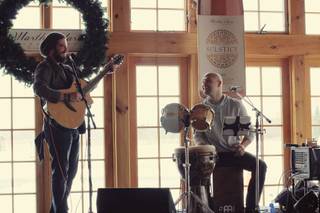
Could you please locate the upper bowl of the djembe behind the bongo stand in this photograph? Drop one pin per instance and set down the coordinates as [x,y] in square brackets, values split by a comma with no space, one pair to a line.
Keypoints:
[202,160]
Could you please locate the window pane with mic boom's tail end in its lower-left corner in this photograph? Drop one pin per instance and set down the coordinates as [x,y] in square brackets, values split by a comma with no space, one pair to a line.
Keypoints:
[272,108]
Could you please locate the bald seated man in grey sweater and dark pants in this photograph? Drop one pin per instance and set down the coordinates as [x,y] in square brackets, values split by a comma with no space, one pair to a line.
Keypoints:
[231,149]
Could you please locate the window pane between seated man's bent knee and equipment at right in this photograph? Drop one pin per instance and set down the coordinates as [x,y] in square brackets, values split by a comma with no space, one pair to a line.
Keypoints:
[274,170]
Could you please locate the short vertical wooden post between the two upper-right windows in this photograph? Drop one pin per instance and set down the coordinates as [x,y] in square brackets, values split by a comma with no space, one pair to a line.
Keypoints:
[296,17]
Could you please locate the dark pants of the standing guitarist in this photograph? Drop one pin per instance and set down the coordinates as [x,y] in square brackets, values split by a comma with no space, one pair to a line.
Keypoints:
[64,150]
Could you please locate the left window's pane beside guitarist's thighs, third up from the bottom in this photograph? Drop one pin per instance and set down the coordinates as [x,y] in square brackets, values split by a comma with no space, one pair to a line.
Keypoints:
[23,146]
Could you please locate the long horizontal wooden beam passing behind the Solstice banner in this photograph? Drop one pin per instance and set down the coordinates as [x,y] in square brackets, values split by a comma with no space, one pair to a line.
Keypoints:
[271,45]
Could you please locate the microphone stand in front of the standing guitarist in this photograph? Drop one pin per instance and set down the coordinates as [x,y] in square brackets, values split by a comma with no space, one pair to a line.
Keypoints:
[89,118]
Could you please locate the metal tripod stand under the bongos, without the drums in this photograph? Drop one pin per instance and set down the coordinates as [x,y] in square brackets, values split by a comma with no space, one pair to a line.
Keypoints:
[188,194]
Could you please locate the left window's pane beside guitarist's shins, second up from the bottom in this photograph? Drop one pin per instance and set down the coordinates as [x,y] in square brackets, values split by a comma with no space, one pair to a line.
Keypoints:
[24,177]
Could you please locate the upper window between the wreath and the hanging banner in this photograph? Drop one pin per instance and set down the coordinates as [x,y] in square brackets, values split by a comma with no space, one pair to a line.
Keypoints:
[157,15]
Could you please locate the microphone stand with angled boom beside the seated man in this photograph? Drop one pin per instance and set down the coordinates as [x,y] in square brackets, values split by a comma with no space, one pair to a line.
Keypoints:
[258,131]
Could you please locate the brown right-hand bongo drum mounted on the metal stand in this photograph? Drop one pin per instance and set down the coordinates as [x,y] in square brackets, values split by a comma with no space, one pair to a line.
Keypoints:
[201,117]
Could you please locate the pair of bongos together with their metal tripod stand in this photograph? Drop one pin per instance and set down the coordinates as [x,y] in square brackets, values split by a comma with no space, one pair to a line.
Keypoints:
[176,117]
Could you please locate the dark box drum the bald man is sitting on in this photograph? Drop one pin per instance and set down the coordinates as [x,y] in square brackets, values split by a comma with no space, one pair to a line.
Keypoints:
[227,190]
